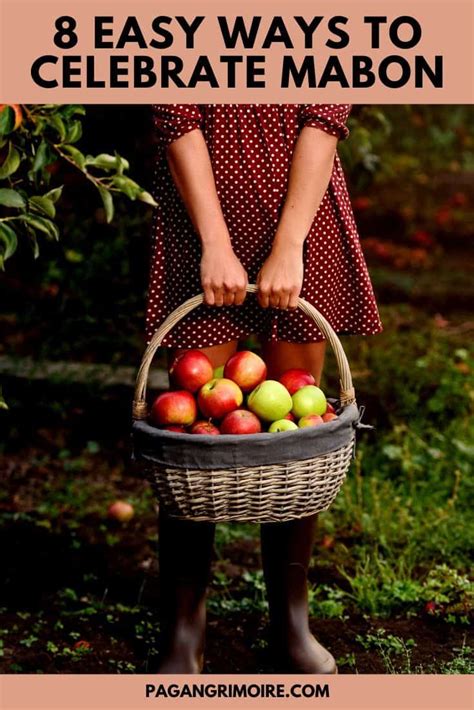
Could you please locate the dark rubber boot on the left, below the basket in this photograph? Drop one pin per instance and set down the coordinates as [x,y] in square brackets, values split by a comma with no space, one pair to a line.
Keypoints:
[185,556]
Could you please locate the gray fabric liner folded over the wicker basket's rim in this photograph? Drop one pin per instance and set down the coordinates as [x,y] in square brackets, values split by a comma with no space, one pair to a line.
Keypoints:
[190,451]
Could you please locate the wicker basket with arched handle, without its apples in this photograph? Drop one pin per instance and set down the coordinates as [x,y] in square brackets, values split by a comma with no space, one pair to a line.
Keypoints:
[258,478]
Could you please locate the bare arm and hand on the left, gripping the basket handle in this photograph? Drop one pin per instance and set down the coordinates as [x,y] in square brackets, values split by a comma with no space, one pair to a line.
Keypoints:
[223,277]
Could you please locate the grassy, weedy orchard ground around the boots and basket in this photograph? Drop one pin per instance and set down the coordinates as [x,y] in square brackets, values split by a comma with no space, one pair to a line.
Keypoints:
[389,587]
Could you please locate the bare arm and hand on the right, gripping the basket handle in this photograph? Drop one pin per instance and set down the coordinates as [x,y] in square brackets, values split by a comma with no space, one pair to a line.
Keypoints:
[281,276]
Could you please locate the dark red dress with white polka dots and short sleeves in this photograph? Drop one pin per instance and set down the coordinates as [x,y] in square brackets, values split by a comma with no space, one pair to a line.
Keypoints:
[251,146]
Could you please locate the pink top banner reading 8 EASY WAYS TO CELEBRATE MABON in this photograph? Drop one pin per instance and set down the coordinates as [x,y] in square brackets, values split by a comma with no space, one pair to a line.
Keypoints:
[356,51]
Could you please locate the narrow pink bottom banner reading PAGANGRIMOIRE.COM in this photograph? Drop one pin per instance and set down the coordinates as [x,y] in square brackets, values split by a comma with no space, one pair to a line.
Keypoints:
[132,692]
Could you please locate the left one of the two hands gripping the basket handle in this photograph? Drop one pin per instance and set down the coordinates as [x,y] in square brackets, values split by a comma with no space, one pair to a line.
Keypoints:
[223,277]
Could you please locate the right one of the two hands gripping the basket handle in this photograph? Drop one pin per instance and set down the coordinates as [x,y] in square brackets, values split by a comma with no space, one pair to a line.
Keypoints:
[281,277]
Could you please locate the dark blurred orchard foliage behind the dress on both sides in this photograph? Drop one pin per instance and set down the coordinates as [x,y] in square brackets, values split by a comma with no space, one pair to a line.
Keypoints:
[410,174]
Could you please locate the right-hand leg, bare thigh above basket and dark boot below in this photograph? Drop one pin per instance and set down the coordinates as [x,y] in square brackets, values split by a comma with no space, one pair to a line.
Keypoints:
[287,549]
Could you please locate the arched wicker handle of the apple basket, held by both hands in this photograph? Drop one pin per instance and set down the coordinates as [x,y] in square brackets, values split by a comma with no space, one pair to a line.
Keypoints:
[140,411]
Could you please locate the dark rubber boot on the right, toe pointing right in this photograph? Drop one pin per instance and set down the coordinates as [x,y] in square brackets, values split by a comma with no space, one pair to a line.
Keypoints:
[286,554]
